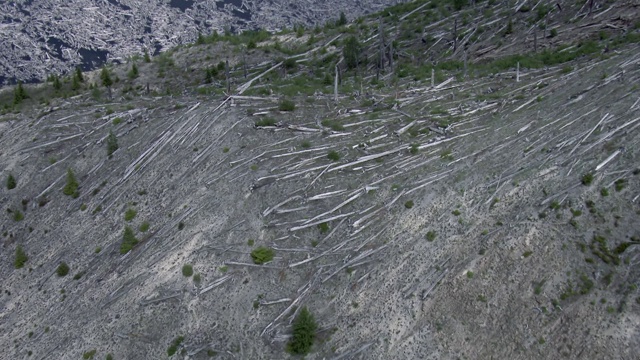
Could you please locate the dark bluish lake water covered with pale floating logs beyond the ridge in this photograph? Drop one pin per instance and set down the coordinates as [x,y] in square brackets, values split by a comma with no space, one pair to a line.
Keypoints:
[40,38]
